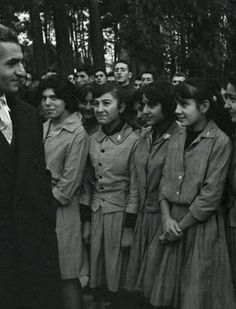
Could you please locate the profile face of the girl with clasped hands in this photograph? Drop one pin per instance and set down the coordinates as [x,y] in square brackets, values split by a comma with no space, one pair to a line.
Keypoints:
[188,113]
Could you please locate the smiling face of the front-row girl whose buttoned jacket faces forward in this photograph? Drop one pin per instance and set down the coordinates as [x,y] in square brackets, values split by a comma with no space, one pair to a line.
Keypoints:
[106,109]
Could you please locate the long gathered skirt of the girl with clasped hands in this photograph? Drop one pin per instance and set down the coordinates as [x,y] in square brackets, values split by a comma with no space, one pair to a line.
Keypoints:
[193,272]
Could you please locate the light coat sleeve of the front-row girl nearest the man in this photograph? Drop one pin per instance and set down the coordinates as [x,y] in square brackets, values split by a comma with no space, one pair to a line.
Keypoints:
[73,169]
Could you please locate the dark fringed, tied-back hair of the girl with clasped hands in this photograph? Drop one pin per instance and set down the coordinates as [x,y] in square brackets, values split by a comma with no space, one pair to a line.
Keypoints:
[201,90]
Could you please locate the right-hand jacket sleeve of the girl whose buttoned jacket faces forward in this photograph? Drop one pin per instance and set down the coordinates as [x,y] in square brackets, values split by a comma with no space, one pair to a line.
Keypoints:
[133,202]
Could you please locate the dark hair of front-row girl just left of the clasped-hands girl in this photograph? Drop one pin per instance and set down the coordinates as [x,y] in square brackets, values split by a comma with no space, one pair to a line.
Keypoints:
[161,92]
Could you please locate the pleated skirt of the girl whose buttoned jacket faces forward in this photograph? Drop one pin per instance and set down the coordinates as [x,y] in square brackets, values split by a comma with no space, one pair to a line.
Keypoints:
[108,259]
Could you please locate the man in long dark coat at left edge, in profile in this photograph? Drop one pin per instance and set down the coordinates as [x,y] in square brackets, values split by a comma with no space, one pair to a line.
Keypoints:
[29,270]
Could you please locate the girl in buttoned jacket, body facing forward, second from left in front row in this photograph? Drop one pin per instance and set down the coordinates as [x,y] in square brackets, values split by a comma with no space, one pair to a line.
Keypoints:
[114,197]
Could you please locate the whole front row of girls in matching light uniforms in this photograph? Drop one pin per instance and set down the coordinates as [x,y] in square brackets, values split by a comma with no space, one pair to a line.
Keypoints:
[146,217]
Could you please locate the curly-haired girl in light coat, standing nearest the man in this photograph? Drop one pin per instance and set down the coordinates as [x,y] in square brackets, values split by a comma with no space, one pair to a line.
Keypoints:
[66,149]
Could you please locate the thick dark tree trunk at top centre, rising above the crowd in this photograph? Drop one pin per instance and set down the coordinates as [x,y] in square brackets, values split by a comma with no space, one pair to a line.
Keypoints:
[96,35]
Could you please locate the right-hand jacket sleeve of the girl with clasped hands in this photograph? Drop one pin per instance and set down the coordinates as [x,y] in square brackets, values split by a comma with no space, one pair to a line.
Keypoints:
[209,198]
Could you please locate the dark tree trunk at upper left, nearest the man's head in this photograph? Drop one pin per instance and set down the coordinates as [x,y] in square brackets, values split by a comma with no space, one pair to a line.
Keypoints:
[37,35]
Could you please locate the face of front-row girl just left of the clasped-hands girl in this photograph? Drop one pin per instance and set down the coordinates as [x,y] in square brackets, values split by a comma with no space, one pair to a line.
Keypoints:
[152,113]
